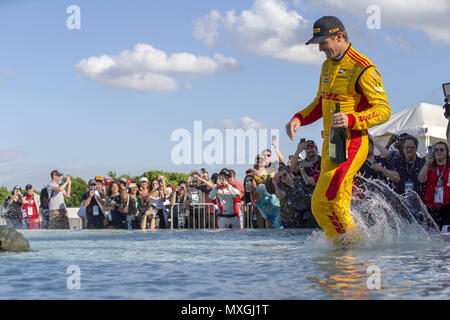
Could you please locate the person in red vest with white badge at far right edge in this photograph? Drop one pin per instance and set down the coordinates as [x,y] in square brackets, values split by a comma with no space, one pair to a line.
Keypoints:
[435,175]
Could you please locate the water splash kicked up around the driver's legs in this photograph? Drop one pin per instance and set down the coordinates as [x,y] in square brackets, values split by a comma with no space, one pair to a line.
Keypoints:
[383,218]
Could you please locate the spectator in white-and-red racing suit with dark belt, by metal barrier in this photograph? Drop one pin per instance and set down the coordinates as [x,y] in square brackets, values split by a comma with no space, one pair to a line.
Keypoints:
[226,196]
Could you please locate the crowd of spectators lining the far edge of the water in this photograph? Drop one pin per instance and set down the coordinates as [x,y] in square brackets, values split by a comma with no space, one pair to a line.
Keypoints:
[273,194]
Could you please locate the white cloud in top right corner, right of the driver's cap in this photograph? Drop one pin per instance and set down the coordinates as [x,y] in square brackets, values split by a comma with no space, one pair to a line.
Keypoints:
[430,17]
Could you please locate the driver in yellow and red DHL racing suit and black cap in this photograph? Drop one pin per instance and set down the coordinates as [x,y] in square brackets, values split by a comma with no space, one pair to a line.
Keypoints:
[351,79]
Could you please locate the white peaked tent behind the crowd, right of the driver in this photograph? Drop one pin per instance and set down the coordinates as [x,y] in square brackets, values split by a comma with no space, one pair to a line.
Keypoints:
[424,121]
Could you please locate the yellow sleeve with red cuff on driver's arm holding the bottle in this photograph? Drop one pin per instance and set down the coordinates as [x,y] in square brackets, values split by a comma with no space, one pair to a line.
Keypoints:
[376,109]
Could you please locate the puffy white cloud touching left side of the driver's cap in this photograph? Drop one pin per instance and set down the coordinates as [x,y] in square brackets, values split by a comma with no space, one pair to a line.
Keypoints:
[268,28]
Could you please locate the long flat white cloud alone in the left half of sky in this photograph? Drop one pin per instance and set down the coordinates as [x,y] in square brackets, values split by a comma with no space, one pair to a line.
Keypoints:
[149,69]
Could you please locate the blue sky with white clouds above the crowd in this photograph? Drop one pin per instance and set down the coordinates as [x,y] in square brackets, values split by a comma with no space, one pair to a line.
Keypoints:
[59,111]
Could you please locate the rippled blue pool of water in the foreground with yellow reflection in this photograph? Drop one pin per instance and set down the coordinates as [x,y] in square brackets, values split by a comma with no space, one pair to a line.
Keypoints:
[221,264]
